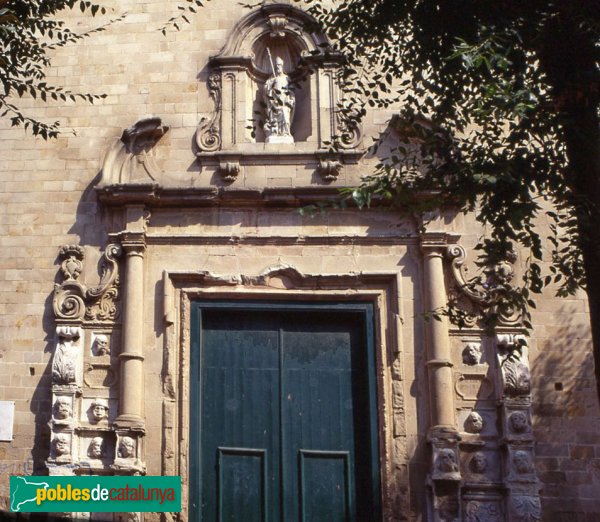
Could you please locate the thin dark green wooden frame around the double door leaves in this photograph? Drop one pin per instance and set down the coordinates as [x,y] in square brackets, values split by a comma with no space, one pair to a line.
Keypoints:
[364,308]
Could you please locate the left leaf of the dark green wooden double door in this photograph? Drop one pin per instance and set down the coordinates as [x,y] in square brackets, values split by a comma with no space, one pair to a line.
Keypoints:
[239,409]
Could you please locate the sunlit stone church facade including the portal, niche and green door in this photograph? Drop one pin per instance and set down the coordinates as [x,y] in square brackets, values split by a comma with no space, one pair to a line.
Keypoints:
[167,308]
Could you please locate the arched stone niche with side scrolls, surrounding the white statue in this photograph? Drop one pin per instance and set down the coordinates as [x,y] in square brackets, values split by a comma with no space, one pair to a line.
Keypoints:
[236,80]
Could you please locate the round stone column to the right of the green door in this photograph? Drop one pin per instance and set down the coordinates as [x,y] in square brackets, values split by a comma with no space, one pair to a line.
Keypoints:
[439,364]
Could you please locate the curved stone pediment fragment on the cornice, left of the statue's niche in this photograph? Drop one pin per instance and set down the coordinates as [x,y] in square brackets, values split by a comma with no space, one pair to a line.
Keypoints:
[130,159]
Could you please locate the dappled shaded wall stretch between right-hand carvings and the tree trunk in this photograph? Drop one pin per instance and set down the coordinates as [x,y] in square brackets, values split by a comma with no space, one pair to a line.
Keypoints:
[567,418]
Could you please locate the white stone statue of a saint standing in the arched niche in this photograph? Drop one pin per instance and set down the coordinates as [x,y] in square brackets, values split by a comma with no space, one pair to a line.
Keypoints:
[280,103]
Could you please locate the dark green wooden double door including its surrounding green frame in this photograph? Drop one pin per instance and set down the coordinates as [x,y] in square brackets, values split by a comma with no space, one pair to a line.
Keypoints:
[283,413]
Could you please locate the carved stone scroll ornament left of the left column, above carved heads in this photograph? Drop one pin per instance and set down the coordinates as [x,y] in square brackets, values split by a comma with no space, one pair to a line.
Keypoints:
[73,300]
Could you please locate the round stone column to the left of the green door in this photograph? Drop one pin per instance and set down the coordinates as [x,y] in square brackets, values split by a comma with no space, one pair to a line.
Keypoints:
[131,399]
